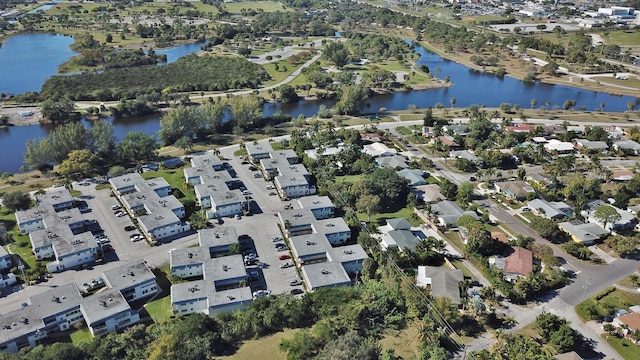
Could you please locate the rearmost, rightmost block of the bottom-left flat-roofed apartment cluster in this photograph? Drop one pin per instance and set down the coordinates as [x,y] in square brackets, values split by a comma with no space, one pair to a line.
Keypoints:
[134,280]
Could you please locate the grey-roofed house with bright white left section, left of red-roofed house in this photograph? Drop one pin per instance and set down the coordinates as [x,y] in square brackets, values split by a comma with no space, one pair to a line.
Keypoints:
[442,282]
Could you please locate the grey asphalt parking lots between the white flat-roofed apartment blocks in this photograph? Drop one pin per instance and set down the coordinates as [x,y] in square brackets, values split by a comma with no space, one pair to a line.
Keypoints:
[261,227]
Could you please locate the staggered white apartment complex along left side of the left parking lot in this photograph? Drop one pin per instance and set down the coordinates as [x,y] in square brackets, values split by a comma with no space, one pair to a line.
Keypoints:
[57,230]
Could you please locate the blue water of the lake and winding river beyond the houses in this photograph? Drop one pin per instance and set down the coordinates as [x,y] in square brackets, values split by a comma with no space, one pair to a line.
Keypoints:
[23,55]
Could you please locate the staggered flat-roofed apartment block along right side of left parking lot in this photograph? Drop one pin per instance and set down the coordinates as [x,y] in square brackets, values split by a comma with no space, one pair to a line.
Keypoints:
[158,212]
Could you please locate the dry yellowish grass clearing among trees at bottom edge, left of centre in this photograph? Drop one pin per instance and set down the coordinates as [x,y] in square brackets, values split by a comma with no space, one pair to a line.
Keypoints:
[263,348]
